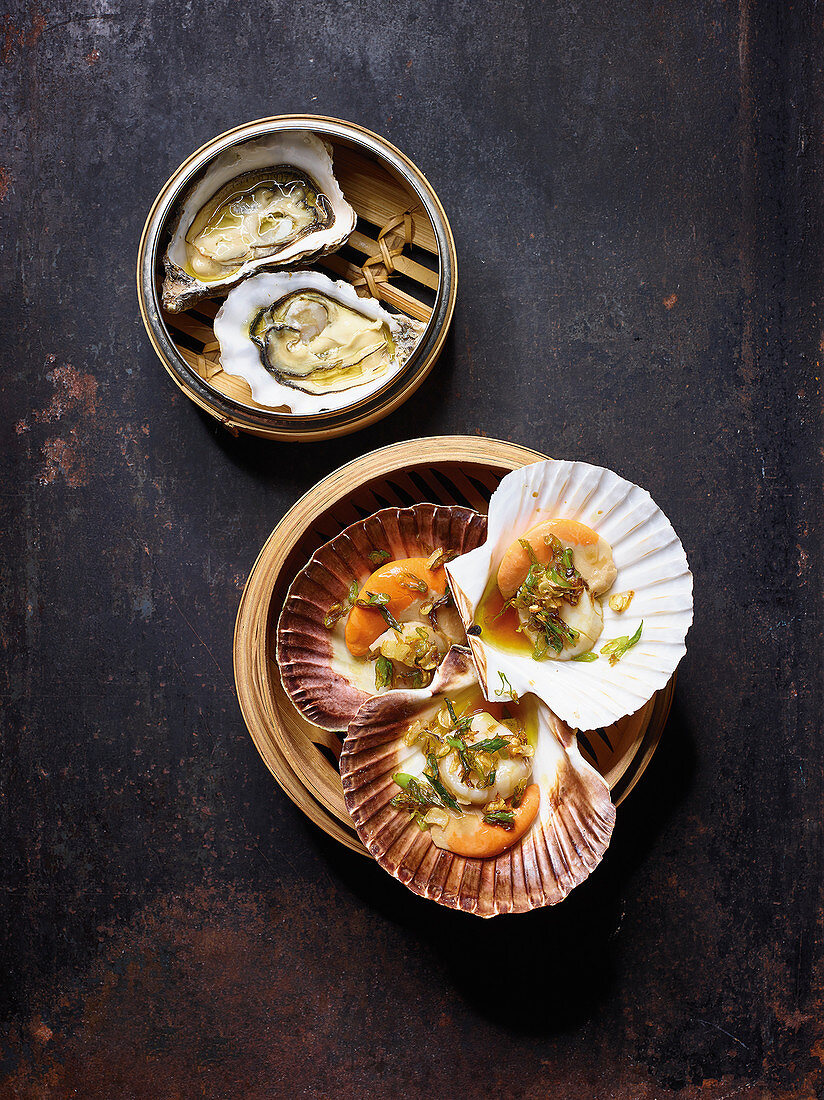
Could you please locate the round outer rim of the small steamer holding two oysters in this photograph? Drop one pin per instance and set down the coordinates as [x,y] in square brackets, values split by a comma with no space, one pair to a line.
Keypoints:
[239,416]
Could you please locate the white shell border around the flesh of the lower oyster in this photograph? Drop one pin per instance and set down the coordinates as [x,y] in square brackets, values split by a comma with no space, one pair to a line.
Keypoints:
[240,356]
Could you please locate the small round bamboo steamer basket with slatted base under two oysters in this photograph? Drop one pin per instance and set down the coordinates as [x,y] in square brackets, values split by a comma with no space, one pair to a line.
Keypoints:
[402,251]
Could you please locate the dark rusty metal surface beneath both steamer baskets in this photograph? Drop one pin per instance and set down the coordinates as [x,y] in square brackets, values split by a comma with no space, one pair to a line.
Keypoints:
[636,195]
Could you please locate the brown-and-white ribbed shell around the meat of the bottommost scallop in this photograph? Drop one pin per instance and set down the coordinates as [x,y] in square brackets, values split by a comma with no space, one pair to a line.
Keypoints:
[564,846]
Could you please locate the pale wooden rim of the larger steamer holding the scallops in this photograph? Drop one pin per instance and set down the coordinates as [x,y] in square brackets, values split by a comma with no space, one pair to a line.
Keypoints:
[252,646]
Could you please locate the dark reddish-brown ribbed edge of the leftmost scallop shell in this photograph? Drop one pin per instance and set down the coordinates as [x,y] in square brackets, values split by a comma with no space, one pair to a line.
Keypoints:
[316,668]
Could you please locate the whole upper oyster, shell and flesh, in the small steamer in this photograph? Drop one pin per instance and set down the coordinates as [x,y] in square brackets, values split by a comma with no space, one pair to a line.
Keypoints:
[270,203]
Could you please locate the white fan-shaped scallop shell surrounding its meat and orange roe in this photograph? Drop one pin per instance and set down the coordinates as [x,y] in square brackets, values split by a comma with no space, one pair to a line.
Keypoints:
[651,560]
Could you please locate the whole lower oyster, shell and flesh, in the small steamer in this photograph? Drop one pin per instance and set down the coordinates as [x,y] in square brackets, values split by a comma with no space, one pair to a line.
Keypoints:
[309,345]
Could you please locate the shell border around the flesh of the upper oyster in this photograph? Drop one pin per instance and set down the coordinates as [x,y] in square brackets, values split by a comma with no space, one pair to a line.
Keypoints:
[295,149]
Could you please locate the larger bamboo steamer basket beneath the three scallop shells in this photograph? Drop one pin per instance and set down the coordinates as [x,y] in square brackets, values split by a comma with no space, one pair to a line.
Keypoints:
[444,470]
